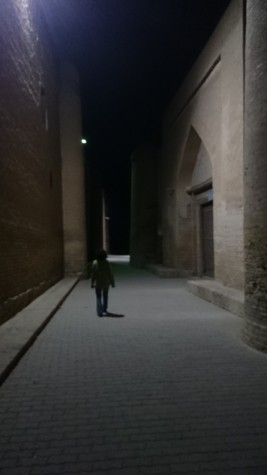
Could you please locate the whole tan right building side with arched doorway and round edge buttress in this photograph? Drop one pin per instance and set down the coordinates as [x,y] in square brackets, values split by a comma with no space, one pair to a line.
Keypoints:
[211,209]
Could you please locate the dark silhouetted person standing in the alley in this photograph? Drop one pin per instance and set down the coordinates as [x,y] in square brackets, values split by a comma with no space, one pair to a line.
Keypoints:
[101,279]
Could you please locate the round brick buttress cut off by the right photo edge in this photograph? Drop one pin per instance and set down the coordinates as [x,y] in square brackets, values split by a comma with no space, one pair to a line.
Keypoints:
[255,166]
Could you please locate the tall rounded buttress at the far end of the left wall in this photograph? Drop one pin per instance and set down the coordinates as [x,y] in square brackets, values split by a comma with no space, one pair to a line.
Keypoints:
[73,185]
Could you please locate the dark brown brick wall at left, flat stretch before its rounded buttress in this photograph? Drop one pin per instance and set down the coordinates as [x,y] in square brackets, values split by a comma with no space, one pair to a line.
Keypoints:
[31,256]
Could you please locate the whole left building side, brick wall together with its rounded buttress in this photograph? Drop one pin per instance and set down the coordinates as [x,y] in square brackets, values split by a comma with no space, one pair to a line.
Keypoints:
[42,231]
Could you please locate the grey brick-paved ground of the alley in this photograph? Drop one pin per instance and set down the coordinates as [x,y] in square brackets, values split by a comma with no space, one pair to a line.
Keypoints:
[169,389]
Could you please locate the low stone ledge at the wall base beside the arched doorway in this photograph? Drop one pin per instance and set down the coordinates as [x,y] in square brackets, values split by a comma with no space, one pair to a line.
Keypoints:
[226,297]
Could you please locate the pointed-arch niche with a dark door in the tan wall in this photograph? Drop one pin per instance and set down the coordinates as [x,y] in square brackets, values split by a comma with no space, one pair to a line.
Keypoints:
[195,252]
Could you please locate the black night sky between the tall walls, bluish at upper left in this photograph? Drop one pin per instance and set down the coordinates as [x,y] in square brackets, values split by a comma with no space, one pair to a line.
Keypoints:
[132,56]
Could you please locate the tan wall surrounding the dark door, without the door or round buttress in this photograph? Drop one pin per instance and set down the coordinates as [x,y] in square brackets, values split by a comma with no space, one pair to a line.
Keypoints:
[210,101]
